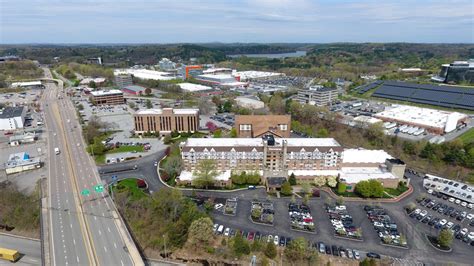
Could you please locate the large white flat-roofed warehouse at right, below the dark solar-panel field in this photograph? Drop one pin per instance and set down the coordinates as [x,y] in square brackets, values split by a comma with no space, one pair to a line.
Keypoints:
[434,121]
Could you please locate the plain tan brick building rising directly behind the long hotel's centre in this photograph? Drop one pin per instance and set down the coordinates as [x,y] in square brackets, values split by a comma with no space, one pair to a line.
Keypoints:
[256,126]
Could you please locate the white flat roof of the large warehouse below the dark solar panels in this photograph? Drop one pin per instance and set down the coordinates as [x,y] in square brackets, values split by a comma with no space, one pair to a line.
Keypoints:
[417,115]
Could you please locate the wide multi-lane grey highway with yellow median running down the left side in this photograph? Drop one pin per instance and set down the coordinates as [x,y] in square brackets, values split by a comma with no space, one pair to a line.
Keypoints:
[84,229]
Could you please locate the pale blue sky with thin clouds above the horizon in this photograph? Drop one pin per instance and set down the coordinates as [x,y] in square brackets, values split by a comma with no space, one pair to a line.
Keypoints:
[264,21]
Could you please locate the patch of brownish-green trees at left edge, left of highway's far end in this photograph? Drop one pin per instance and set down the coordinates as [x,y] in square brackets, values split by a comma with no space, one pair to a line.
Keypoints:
[17,70]
